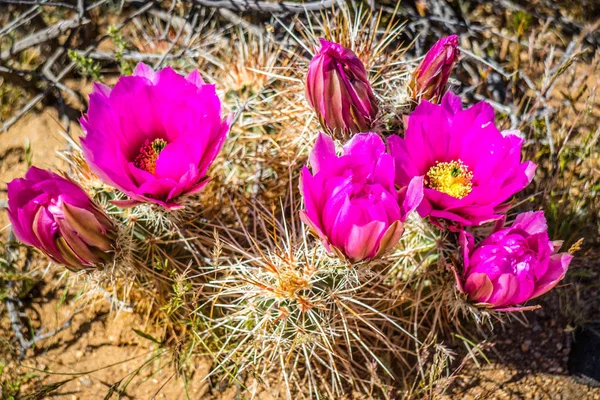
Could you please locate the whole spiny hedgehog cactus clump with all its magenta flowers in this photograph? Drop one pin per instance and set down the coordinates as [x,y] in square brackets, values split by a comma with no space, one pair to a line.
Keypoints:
[229,262]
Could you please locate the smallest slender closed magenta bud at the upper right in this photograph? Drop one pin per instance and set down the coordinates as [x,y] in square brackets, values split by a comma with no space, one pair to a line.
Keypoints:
[429,79]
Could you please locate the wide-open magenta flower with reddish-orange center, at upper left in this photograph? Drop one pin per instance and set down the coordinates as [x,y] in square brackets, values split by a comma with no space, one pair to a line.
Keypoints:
[154,135]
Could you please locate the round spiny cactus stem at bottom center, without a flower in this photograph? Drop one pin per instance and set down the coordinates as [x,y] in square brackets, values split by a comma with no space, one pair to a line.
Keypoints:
[296,310]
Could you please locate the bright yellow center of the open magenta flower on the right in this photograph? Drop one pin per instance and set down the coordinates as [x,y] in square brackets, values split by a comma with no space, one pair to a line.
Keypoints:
[452,178]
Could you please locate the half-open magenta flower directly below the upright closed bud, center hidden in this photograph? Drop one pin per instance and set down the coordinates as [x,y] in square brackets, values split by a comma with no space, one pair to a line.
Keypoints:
[351,202]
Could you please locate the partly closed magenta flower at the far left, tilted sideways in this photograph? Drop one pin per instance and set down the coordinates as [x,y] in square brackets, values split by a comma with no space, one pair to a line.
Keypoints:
[55,215]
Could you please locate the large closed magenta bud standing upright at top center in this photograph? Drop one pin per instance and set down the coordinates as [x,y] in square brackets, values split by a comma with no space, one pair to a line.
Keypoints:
[338,89]
